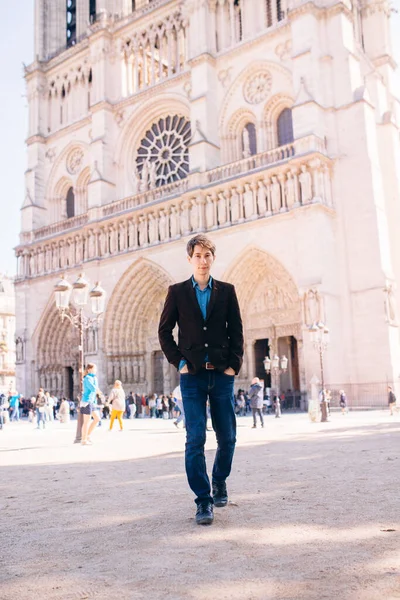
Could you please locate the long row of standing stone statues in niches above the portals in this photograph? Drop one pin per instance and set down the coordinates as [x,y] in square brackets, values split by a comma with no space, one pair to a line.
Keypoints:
[269,193]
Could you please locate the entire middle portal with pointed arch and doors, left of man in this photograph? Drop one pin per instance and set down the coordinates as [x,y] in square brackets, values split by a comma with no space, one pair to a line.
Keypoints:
[131,330]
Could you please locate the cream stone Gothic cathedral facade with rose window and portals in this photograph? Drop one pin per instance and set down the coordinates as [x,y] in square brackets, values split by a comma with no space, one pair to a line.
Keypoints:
[271,125]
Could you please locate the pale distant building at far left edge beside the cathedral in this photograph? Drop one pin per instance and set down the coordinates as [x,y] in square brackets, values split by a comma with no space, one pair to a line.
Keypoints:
[7,335]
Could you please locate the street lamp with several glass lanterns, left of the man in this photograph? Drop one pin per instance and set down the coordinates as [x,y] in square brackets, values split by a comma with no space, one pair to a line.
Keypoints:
[80,294]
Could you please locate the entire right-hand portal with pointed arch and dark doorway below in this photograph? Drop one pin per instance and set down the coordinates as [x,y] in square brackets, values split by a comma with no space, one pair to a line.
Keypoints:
[271,310]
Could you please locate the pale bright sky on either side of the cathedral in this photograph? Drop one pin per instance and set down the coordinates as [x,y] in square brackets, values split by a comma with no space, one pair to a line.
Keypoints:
[16,47]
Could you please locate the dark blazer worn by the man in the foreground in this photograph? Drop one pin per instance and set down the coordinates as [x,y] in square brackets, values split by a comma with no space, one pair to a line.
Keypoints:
[220,336]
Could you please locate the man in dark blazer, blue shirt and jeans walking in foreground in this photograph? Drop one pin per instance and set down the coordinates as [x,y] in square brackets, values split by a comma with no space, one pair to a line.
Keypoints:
[208,355]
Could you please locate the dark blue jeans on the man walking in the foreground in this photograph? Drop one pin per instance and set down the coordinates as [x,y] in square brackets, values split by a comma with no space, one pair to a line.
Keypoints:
[196,389]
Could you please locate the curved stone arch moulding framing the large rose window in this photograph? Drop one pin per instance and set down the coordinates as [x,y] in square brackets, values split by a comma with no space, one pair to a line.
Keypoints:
[137,125]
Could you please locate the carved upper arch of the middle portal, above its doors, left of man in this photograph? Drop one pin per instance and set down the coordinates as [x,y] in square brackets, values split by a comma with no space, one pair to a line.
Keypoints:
[131,319]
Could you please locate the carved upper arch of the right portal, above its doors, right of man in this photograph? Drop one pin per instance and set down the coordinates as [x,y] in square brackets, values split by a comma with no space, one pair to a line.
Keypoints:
[266,290]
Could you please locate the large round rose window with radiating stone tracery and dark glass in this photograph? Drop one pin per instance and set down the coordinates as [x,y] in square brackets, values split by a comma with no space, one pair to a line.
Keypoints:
[166,145]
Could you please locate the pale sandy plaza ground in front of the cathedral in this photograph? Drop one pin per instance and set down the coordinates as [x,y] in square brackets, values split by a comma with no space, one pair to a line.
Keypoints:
[314,513]
